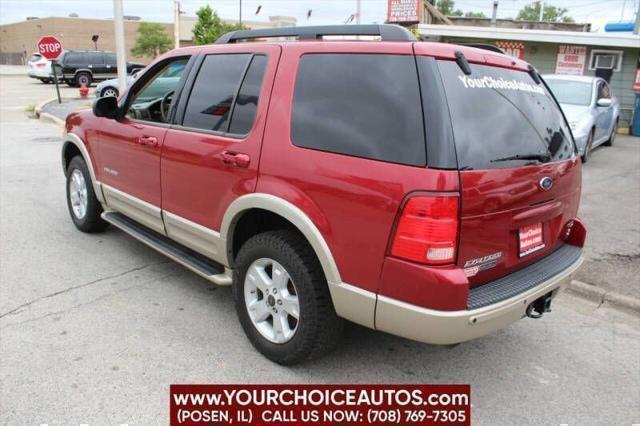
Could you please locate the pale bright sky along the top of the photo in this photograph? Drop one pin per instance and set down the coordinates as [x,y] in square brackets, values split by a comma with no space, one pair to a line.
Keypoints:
[596,12]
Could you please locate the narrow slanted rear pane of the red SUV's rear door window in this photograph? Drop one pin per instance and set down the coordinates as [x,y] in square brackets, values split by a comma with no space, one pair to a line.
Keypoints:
[244,111]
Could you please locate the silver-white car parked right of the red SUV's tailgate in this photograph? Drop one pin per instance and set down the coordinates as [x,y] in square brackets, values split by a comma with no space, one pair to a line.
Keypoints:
[590,109]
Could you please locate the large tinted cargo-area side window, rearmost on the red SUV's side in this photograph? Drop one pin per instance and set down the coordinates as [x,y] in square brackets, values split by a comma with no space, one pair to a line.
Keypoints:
[361,105]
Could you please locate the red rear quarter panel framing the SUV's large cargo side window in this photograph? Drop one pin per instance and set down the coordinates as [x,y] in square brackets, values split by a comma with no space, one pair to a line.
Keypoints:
[353,201]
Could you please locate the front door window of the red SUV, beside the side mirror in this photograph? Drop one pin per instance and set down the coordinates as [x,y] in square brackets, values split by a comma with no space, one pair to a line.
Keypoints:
[152,101]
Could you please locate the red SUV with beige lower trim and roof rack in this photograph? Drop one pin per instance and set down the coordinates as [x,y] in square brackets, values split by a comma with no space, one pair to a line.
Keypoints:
[427,190]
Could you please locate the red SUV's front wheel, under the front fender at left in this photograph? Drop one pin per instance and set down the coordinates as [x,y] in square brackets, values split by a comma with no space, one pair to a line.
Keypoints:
[84,207]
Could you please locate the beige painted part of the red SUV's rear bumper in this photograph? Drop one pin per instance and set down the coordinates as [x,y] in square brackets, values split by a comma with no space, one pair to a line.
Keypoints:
[449,327]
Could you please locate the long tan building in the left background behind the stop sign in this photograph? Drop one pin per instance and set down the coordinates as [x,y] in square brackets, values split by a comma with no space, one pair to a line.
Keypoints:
[18,40]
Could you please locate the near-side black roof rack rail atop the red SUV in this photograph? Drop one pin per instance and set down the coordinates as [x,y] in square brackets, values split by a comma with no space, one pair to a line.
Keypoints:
[386,32]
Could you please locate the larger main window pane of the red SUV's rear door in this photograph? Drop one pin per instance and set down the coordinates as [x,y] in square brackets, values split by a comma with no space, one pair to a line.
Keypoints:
[210,102]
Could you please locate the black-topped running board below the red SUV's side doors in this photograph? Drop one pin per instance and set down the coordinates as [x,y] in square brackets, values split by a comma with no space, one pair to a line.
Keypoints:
[199,264]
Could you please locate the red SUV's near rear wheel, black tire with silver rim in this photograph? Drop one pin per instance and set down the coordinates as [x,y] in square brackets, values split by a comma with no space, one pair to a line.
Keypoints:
[318,329]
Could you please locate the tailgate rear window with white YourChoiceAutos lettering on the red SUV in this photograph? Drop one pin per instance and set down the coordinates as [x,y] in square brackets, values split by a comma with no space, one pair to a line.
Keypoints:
[498,113]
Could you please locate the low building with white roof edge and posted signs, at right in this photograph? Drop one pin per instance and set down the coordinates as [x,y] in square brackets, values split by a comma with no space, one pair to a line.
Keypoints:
[614,56]
